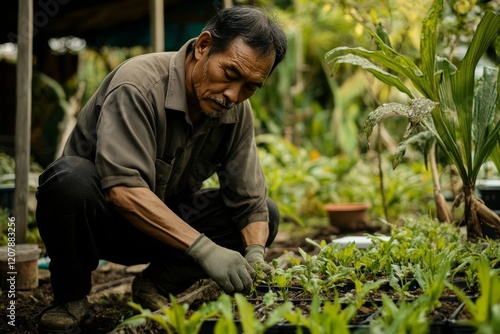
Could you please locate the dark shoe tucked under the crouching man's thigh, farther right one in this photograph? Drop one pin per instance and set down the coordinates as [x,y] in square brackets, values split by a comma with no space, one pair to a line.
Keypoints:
[147,294]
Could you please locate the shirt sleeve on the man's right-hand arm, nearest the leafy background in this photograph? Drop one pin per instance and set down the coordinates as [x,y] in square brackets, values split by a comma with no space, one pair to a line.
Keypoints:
[242,179]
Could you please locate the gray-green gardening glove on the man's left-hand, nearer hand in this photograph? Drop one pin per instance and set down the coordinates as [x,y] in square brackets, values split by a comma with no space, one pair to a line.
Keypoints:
[226,267]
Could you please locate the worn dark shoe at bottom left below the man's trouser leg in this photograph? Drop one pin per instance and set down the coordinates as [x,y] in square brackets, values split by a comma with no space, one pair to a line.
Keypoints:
[66,318]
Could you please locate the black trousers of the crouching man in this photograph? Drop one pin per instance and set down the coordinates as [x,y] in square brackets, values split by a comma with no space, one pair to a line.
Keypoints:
[78,227]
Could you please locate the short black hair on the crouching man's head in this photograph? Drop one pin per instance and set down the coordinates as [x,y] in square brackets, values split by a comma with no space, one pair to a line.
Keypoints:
[257,29]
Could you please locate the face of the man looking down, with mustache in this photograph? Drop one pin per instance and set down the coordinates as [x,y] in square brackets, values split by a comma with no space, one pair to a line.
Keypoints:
[229,77]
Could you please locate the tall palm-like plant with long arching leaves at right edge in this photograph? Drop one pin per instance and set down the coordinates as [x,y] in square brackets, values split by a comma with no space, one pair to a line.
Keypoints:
[458,111]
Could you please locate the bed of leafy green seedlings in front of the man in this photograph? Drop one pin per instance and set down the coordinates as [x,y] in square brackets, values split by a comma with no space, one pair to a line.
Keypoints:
[416,280]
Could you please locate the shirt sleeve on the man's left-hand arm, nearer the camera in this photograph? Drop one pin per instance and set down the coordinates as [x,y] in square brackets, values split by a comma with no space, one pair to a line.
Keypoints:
[126,144]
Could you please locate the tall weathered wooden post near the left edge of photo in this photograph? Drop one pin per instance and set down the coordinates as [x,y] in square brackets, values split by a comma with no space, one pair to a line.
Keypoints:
[24,73]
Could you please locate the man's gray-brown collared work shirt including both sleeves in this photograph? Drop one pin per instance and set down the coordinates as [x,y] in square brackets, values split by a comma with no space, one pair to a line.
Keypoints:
[137,131]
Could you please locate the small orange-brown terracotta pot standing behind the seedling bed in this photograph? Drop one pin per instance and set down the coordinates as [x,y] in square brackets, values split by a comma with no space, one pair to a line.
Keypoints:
[348,216]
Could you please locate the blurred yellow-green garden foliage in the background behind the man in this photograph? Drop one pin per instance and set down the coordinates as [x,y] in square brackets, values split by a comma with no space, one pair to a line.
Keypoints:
[309,122]
